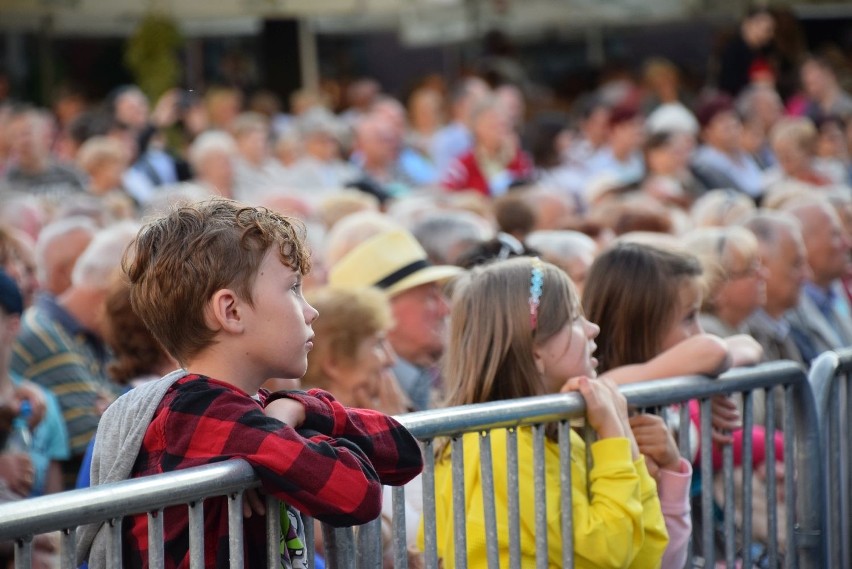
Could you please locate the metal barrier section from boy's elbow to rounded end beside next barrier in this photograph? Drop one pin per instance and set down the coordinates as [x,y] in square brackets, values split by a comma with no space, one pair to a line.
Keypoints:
[803,486]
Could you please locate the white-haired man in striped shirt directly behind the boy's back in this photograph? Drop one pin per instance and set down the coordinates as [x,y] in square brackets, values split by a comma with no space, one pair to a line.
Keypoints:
[59,345]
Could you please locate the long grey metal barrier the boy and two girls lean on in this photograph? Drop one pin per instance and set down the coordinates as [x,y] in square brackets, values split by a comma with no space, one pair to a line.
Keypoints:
[362,547]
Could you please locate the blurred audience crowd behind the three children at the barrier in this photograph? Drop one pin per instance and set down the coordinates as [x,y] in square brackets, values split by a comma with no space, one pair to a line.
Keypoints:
[750,167]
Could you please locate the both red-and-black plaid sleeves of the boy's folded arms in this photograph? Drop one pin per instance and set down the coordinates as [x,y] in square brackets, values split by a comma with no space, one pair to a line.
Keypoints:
[325,470]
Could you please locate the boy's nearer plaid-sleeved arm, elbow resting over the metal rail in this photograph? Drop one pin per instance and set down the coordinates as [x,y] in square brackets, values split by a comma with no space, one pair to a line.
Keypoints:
[331,479]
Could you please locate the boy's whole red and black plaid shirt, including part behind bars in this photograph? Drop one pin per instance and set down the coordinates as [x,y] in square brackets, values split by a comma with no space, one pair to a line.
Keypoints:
[333,468]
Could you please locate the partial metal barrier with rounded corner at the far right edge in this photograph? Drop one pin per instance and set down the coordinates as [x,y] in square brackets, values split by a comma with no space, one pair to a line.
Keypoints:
[831,380]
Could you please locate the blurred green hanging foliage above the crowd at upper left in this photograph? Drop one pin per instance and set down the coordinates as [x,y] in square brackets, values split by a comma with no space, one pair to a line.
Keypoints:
[152,55]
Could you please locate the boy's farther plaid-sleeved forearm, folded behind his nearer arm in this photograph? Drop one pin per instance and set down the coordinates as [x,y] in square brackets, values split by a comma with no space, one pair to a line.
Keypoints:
[393,452]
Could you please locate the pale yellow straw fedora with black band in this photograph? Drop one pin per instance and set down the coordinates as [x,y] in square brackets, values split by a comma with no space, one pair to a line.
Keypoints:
[392,261]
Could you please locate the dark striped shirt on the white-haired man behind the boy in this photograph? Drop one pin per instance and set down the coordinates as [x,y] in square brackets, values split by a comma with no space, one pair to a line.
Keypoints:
[56,352]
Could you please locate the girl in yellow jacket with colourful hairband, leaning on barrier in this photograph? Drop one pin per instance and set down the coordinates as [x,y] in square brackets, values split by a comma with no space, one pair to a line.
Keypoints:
[517,330]
